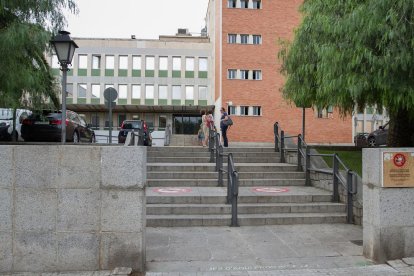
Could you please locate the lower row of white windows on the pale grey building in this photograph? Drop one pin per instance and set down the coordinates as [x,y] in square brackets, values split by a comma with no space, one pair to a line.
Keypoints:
[135,91]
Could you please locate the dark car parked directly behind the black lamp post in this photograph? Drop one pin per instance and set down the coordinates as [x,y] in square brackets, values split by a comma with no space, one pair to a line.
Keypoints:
[40,128]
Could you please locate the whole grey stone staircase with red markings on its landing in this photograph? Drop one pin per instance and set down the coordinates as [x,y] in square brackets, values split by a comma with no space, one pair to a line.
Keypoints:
[182,190]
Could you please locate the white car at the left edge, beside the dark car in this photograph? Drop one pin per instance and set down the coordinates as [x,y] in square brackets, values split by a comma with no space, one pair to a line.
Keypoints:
[6,123]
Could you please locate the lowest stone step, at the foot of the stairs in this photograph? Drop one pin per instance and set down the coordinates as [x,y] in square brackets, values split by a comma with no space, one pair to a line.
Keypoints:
[244,219]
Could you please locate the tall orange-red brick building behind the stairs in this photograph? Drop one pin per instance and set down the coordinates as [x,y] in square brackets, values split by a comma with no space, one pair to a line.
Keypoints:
[245,35]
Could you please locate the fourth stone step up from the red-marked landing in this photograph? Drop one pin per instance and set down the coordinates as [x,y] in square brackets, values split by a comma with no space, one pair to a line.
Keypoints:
[175,159]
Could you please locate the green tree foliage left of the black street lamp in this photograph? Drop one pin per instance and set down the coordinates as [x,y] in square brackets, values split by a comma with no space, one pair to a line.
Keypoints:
[26,26]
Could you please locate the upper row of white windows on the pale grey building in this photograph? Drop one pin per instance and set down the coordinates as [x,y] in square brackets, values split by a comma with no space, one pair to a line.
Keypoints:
[136,62]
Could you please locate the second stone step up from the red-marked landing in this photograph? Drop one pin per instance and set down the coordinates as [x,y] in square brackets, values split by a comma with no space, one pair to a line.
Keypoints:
[214,175]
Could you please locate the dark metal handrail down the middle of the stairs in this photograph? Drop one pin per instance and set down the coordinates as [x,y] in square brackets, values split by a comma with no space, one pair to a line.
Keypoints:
[217,155]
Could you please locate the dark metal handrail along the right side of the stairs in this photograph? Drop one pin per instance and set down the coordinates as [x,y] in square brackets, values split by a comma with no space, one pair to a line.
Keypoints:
[304,156]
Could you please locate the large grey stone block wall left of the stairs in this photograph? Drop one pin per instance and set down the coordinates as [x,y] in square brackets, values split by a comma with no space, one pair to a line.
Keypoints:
[72,208]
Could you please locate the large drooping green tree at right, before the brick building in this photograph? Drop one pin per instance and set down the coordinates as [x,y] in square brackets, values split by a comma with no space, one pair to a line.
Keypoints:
[355,53]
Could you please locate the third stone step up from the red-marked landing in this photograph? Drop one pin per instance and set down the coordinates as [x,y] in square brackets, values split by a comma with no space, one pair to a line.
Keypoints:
[210,167]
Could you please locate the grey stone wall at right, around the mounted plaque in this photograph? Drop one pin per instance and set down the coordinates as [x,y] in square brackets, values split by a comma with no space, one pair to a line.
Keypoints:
[388,212]
